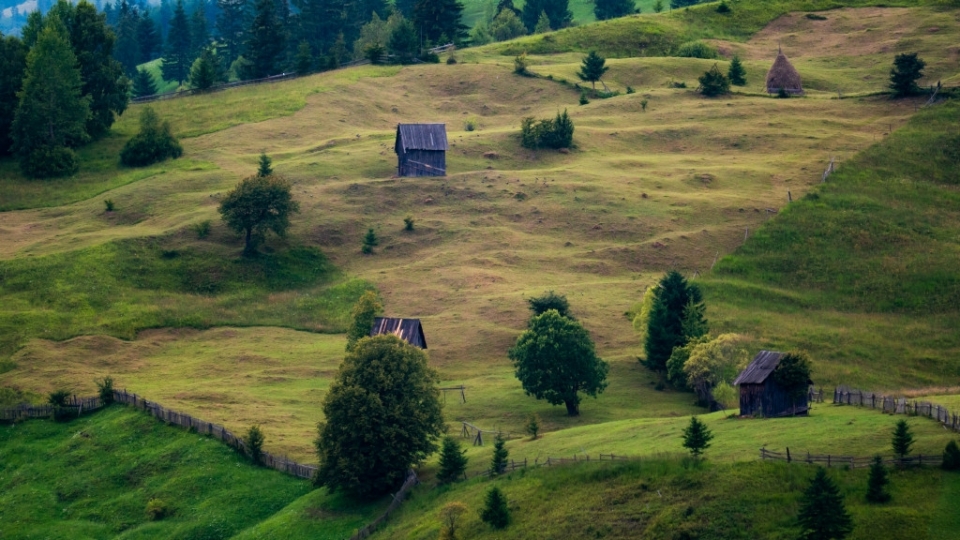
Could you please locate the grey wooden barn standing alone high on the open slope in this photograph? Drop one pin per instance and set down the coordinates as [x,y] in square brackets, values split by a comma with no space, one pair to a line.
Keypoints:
[421,149]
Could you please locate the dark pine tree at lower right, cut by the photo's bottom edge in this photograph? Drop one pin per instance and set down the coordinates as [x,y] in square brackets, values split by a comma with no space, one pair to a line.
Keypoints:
[823,515]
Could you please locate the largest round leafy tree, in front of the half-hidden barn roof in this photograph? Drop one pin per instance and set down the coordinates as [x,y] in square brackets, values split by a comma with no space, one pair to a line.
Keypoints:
[382,413]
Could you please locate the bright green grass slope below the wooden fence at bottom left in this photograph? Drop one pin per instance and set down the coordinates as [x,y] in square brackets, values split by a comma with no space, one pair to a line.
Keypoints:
[91,478]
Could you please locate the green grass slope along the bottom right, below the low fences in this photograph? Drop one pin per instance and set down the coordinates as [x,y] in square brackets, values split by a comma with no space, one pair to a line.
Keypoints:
[667,498]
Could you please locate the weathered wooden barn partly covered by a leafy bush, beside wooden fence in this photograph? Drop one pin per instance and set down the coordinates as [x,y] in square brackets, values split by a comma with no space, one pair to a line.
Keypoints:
[760,395]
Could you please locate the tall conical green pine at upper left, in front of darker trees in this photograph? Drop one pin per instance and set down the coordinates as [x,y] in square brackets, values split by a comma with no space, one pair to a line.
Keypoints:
[52,114]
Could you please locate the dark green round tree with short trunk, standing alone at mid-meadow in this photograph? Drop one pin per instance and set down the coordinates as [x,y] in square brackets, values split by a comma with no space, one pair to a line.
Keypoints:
[555,360]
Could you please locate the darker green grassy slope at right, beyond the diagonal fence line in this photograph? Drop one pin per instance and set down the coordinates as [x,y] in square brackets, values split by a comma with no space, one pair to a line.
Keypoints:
[873,251]
